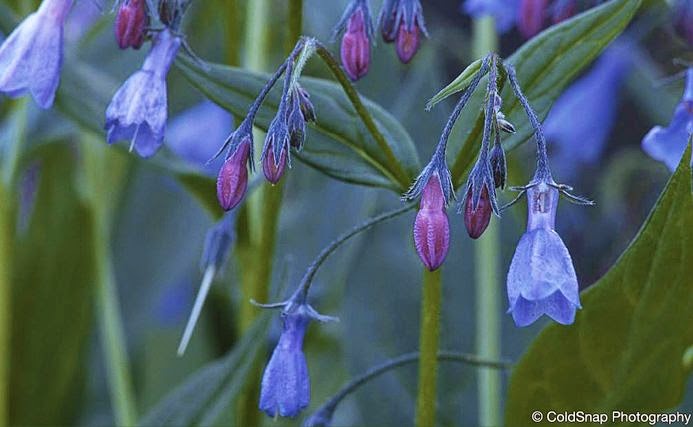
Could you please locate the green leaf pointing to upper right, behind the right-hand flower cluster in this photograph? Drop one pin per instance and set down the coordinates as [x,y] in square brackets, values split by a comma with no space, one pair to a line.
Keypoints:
[545,65]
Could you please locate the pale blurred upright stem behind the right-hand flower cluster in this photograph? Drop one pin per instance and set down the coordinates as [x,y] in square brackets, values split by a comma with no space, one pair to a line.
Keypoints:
[486,254]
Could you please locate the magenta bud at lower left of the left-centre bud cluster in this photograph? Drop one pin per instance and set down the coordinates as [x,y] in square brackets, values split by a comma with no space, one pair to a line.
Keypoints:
[232,181]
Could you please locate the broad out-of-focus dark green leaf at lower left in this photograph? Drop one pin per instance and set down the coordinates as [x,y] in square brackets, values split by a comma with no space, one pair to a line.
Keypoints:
[53,285]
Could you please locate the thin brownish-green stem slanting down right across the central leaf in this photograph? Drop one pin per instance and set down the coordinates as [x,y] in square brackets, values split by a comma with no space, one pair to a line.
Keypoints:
[402,177]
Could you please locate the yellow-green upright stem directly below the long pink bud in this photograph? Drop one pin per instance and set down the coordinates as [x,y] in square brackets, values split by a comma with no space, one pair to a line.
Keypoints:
[428,350]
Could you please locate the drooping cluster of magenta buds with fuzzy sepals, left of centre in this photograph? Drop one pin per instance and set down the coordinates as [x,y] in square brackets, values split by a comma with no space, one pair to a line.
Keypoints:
[287,130]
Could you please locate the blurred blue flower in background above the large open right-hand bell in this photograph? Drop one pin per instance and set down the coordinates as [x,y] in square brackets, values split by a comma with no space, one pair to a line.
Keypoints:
[581,120]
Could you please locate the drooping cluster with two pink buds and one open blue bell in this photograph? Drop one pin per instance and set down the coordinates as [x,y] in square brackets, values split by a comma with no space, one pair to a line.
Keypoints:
[541,279]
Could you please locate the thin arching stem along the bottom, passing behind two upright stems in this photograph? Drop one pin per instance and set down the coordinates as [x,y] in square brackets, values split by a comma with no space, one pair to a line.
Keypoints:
[328,408]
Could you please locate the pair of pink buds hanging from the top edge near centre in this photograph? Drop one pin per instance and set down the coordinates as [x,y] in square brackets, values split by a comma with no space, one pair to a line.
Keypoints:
[399,21]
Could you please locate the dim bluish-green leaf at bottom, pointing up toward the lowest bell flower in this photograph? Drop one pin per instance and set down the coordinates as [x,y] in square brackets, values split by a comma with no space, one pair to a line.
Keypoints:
[201,399]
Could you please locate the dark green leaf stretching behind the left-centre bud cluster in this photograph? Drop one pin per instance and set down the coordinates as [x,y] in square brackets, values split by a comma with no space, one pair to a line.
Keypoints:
[339,144]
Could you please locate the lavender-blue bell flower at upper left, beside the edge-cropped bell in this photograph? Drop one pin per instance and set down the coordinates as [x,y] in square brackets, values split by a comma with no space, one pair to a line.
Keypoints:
[138,110]
